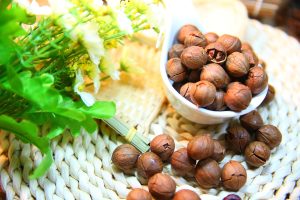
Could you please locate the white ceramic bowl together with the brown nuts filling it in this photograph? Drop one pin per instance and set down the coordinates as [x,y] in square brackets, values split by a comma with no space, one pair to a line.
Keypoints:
[197,100]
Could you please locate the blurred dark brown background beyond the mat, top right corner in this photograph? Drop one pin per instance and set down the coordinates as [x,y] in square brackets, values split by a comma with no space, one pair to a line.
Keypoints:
[284,14]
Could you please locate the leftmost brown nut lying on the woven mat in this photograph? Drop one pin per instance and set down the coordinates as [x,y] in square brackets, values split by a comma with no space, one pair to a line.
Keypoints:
[125,157]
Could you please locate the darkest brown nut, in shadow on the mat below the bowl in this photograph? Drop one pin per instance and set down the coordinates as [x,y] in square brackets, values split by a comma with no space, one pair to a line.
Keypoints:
[237,138]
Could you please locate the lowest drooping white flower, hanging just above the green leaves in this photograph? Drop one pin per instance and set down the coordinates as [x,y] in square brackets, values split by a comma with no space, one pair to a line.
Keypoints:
[87,98]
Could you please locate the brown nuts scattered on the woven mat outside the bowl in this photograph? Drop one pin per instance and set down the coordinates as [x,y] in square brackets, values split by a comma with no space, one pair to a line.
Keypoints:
[199,160]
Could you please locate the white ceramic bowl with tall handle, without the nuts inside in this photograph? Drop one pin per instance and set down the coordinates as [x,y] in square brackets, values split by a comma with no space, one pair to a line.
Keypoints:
[187,109]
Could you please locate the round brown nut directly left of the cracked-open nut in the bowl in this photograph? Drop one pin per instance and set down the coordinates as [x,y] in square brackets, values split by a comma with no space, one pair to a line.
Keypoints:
[194,57]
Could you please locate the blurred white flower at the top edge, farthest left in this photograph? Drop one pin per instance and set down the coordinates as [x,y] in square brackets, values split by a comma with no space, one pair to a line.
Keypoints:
[34,8]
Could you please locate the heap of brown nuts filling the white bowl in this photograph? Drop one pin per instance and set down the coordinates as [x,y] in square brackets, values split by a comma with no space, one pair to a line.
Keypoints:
[217,73]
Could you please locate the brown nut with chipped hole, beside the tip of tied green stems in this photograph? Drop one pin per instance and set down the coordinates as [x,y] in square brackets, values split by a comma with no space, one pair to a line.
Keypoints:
[163,145]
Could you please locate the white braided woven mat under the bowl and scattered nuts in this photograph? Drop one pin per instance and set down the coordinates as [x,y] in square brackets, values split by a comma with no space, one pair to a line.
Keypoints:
[83,170]
